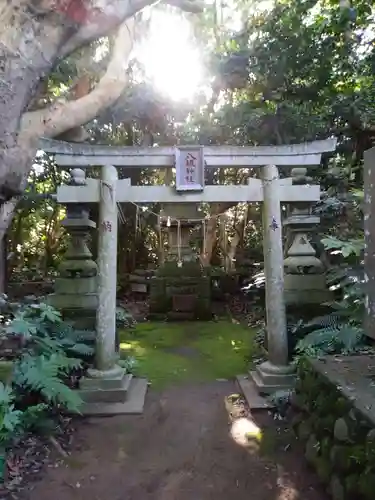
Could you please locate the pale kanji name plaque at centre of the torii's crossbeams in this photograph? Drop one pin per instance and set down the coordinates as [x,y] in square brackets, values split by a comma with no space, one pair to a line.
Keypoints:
[189,168]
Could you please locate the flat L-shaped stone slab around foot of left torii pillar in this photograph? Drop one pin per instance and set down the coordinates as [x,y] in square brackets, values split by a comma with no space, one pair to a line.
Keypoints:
[132,406]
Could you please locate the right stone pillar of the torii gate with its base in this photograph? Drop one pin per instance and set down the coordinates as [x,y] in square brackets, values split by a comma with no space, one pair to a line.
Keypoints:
[276,373]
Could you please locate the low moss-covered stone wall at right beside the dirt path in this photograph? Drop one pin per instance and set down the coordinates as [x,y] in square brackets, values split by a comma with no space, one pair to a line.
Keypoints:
[338,431]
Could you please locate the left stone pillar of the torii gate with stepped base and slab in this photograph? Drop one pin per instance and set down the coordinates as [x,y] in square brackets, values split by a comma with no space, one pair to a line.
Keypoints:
[107,387]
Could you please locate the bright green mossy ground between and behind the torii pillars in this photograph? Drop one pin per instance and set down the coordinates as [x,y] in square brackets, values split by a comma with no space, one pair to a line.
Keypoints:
[170,353]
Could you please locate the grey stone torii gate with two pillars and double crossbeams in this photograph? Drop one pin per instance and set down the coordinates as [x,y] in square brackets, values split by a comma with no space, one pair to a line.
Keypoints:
[109,190]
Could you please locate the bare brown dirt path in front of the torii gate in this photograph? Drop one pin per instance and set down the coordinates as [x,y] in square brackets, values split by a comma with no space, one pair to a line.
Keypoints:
[179,449]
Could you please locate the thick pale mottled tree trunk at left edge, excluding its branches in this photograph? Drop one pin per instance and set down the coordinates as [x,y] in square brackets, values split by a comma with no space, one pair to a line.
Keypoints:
[29,49]
